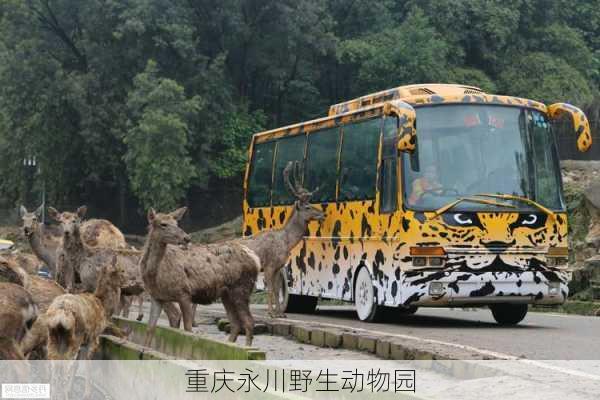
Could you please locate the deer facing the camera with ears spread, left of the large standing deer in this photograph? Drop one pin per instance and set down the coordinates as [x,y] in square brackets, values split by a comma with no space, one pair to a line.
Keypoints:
[77,261]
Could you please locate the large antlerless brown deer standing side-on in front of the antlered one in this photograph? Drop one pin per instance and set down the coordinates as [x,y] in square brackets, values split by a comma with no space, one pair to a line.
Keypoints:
[199,274]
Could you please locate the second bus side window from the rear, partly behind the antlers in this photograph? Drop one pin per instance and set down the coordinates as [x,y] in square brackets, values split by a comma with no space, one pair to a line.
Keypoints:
[288,149]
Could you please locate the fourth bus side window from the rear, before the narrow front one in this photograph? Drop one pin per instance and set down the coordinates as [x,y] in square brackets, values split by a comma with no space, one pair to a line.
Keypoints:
[358,166]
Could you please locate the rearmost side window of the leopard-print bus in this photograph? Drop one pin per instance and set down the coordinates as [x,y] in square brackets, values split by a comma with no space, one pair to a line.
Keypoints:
[259,189]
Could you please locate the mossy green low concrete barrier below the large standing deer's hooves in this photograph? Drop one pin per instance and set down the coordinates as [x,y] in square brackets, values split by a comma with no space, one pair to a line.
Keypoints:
[185,345]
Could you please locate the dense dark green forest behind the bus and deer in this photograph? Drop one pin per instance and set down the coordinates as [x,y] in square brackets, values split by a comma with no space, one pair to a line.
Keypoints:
[130,103]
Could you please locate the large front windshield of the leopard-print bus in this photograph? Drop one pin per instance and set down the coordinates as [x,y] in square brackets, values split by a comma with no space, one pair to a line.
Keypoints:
[464,150]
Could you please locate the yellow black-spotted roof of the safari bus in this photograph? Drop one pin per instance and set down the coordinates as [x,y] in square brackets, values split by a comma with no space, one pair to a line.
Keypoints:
[415,95]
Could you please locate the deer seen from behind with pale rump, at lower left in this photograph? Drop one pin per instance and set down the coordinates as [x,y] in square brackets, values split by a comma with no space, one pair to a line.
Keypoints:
[75,321]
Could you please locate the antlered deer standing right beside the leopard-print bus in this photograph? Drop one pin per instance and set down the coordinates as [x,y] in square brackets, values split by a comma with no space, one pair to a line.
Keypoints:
[275,246]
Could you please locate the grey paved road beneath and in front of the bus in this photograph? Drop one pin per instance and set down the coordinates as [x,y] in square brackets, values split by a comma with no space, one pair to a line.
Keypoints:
[541,336]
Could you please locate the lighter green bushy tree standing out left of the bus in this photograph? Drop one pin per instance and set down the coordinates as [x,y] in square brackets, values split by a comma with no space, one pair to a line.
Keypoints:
[159,165]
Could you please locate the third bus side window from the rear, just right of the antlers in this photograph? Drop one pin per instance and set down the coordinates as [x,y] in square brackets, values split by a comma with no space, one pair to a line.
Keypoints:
[321,168]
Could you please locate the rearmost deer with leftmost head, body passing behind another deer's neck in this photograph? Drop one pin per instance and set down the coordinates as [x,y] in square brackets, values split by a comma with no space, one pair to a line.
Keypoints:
[45,240]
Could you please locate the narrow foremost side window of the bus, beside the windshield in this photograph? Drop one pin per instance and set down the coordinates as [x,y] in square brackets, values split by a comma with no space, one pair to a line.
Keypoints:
[389,181]
